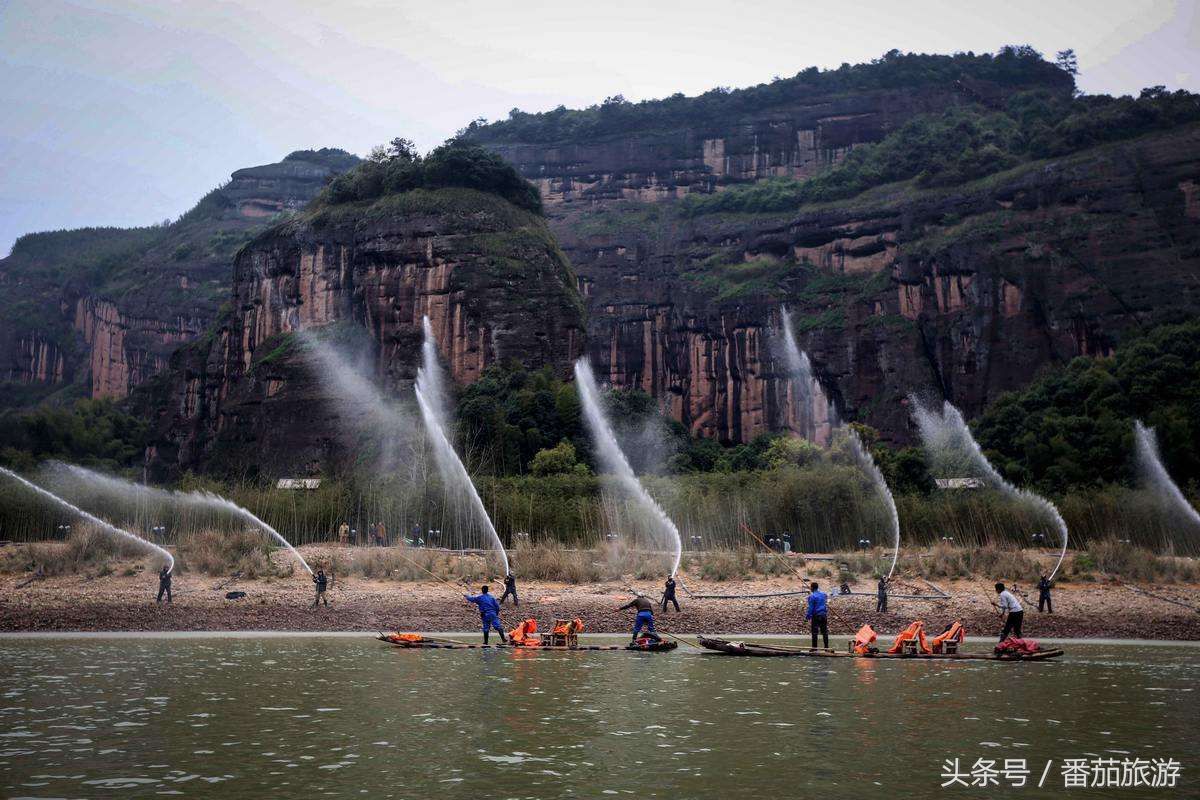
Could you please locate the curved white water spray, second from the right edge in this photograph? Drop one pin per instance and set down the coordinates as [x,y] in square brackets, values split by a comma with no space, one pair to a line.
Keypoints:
[951,447]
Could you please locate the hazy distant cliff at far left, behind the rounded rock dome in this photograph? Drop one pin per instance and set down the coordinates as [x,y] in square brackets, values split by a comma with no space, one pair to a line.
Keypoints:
[104,310]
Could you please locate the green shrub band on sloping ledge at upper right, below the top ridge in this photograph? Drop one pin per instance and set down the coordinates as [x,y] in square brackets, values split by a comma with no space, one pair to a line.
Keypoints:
[965,143]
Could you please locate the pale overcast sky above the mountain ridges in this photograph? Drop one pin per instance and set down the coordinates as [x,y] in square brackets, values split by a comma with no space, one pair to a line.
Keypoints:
[127,113]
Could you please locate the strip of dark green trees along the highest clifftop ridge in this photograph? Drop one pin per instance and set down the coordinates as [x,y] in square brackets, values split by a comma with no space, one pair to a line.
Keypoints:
[1012,67]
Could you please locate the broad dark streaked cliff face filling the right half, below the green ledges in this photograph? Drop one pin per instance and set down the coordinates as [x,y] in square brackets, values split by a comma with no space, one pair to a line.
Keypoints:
[958,293]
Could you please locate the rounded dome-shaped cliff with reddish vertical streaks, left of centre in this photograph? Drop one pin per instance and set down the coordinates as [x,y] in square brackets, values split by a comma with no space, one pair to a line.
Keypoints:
[489,276]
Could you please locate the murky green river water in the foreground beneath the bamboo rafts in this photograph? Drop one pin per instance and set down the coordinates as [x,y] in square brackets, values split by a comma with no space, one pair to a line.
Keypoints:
[268,717]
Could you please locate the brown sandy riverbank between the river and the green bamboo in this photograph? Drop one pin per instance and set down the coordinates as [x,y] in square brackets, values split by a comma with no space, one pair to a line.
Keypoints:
[127,604]
